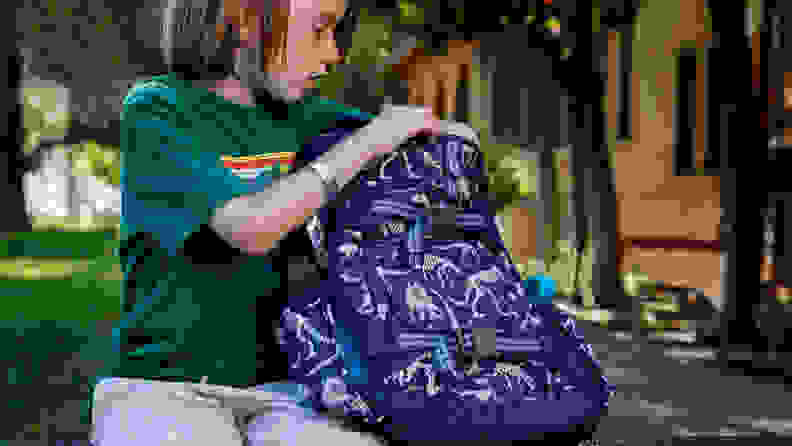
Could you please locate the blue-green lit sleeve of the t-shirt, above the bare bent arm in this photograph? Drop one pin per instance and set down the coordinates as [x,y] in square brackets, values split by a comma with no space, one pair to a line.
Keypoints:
[170,187]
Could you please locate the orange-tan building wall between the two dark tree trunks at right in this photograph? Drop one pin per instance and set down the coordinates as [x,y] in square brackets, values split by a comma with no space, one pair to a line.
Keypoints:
[653,202]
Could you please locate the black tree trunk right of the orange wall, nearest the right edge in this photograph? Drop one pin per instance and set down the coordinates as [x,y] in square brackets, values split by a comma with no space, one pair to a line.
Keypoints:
[741,223]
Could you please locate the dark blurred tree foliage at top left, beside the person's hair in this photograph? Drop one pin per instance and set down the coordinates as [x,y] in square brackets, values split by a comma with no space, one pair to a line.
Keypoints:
[63,38]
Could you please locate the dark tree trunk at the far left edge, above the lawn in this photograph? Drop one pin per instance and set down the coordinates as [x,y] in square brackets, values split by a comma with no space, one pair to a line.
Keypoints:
[12,157]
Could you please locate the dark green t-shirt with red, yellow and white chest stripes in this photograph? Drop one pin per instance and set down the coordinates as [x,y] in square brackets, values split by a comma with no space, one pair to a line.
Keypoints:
[192,312]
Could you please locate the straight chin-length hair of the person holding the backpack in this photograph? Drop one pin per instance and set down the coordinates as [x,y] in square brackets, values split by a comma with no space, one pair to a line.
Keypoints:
[198,36]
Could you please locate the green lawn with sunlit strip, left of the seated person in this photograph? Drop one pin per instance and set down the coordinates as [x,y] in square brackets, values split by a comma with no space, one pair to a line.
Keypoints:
[61,290]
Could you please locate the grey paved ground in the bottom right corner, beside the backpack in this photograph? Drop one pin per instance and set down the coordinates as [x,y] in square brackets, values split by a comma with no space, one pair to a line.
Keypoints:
[663,390]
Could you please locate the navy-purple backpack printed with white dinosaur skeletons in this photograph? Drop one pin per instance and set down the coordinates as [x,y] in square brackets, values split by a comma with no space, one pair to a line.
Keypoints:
[421,323]
